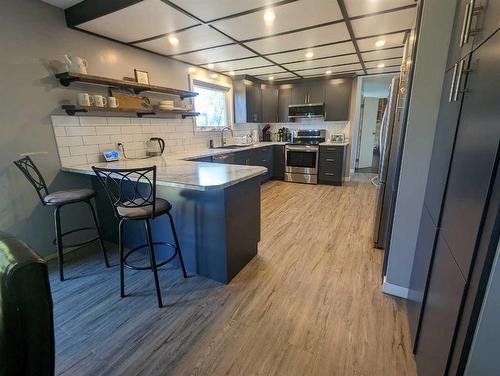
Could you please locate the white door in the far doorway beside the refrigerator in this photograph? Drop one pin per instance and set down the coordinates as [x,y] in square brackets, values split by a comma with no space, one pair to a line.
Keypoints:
[368,132]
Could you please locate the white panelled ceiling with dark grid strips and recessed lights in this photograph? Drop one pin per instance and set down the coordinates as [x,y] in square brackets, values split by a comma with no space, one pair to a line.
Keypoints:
[285,39]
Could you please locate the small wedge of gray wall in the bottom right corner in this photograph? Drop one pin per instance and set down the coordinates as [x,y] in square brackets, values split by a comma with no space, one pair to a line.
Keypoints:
[483,356]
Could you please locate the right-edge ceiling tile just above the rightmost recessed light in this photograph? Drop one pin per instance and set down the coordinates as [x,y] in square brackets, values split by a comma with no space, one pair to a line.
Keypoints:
[384,23]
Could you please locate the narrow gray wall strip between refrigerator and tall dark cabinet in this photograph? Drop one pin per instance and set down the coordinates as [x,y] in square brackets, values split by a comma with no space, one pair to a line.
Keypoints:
[432,51]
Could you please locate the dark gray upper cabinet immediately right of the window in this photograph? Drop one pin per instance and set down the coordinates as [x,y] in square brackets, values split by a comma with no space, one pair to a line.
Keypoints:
[247,102]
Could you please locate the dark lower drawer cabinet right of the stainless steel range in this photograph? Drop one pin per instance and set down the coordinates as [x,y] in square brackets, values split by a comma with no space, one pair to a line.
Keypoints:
[331,165]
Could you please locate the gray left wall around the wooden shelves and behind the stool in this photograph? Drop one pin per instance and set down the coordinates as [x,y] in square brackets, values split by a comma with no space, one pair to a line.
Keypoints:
[33,36]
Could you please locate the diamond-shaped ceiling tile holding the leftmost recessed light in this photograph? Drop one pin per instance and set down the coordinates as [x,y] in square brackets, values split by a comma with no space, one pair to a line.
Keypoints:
[189,40]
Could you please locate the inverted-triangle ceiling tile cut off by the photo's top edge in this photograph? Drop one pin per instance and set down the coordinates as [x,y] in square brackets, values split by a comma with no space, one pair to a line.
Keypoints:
[207,10]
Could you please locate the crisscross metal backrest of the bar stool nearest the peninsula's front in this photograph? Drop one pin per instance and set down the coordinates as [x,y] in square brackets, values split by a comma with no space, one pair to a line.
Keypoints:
[128,188]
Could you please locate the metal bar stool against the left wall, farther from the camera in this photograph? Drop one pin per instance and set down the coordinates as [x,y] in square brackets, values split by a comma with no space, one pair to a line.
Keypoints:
[58,200]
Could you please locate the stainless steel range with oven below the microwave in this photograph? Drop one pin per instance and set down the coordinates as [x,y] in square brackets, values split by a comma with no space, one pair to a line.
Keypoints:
[302,155]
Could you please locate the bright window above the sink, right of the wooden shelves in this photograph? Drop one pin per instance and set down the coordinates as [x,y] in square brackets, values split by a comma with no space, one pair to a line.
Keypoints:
[212,102]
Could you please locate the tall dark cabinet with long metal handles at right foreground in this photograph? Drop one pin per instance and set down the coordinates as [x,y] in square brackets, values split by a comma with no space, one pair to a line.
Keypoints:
[458,195]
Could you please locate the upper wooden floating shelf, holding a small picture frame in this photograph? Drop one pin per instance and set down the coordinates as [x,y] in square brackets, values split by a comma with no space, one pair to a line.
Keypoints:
[67,78]
